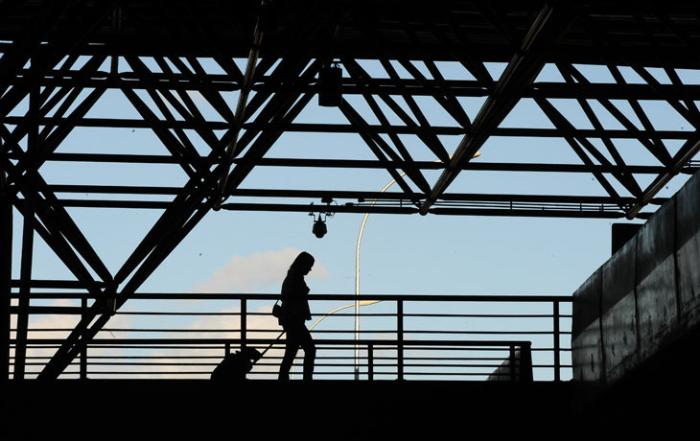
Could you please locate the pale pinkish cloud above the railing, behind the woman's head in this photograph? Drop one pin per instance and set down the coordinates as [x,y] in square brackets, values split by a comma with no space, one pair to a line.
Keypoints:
[247,273]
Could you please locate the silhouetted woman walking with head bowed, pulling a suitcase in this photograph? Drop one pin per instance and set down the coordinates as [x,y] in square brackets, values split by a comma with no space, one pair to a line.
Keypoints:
[295,307]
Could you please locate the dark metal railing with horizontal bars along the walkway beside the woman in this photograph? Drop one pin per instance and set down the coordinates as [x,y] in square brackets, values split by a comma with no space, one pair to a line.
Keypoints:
[413,337]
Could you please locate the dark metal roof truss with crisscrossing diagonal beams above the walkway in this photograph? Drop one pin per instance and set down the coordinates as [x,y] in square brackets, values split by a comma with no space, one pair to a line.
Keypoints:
[61,58]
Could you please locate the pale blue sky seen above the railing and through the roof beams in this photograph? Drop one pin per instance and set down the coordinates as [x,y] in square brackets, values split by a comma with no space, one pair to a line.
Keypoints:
[400,254]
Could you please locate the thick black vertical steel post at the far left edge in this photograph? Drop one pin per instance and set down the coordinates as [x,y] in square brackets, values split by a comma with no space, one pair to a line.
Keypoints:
[5,278]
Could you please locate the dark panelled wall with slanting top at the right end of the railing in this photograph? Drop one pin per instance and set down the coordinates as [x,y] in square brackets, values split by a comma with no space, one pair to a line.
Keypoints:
[644,297]
